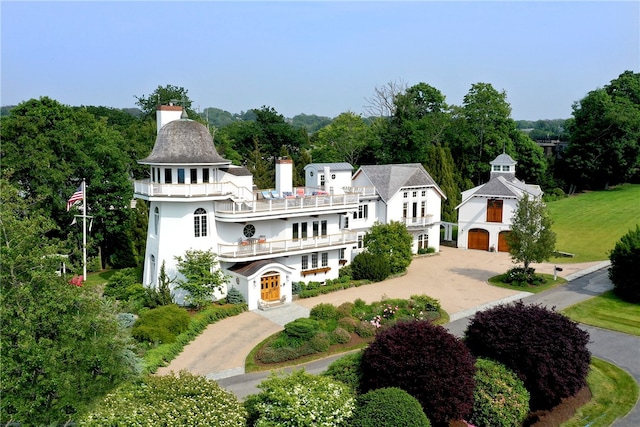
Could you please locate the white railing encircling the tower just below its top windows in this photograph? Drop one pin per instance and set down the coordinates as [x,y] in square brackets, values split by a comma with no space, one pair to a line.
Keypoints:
[154,189]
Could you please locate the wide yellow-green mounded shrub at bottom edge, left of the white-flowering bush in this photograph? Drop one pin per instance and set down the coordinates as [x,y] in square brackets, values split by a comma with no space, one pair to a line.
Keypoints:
[184,400]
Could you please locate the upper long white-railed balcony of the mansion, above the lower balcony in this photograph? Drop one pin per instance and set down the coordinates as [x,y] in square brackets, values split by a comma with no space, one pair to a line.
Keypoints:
[231,211]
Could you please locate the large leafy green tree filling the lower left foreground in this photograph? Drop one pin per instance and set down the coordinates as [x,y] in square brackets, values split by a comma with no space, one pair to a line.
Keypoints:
[62,345]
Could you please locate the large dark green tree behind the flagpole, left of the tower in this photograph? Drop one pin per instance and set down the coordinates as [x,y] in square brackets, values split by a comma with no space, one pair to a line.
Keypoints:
[50,148]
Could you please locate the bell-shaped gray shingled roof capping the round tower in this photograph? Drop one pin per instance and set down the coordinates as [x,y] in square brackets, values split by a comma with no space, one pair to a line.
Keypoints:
[184,142]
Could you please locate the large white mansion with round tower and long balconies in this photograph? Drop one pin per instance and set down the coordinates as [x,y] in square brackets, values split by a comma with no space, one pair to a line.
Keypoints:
[265,240]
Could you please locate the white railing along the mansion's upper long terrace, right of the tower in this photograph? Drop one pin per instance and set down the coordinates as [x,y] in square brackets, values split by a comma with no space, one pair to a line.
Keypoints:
[284,204]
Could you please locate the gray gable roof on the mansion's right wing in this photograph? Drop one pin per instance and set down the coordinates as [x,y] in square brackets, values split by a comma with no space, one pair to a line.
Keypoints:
[389,179]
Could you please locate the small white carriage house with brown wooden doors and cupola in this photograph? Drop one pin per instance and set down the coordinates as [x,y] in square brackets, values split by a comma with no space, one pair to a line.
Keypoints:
[486,211]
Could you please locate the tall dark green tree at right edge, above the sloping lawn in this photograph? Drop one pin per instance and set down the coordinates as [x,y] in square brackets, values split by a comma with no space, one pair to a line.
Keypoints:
[605,135]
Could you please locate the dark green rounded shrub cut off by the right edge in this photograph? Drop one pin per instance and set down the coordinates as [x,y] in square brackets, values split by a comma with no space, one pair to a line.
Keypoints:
[625,267]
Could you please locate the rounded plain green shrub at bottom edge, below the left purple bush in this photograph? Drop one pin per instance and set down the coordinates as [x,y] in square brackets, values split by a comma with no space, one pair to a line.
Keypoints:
[388,407]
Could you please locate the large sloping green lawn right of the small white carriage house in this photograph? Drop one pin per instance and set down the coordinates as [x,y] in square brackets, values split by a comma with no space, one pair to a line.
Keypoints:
[589,224]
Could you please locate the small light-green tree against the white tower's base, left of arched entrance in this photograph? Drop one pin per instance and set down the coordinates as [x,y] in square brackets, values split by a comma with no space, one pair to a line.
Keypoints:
[201,277]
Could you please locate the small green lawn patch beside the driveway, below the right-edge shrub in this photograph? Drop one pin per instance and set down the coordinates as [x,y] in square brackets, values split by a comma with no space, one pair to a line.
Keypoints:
[607,311]
